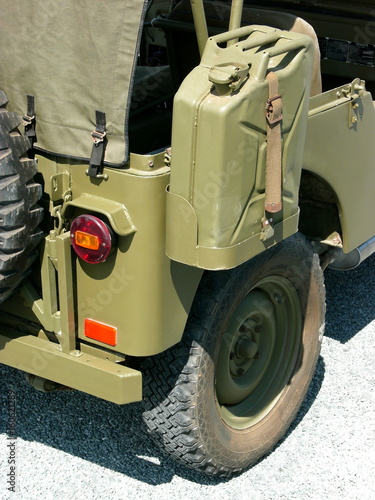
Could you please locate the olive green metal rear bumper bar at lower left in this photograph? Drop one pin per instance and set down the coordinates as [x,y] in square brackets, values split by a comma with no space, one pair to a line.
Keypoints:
[98,377]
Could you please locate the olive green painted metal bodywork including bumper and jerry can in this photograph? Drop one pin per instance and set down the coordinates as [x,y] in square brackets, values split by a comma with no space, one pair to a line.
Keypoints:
[199,208]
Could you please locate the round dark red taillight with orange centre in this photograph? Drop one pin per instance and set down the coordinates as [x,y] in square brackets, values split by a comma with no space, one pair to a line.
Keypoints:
[91,238]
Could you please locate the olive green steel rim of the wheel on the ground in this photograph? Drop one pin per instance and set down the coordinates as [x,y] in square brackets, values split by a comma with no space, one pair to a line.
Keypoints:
[258,353]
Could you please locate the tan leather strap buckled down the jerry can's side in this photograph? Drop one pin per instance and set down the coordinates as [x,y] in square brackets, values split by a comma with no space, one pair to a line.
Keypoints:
[273,199]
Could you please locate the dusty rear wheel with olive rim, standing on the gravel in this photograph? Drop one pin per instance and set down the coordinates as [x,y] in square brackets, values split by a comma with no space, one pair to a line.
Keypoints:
[224,396]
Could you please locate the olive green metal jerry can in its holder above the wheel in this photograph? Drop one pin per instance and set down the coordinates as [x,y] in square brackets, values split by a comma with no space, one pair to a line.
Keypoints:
[216,212]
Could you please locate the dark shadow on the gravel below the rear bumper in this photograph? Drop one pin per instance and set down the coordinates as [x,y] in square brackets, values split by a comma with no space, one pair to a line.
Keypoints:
[95,430]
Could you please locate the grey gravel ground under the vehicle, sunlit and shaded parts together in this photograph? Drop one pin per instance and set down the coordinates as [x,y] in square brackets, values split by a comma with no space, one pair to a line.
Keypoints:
[70,445]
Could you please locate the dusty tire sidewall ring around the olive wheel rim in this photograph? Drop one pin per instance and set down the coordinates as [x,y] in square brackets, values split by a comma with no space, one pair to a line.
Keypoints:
[244,447]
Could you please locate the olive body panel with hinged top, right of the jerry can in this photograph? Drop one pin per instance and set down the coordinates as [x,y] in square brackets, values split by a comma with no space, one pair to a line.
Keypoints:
[340,149]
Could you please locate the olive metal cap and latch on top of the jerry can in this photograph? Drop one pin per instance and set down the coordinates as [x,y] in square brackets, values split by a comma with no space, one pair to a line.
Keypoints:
[228,77]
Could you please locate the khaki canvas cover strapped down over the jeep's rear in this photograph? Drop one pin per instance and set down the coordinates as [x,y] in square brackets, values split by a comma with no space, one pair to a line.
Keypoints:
[74,57]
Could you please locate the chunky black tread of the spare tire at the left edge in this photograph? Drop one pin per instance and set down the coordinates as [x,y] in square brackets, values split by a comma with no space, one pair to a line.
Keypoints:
[19,213]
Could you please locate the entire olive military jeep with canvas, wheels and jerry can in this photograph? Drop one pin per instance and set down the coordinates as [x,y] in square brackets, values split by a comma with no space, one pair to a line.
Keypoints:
[173,182]
